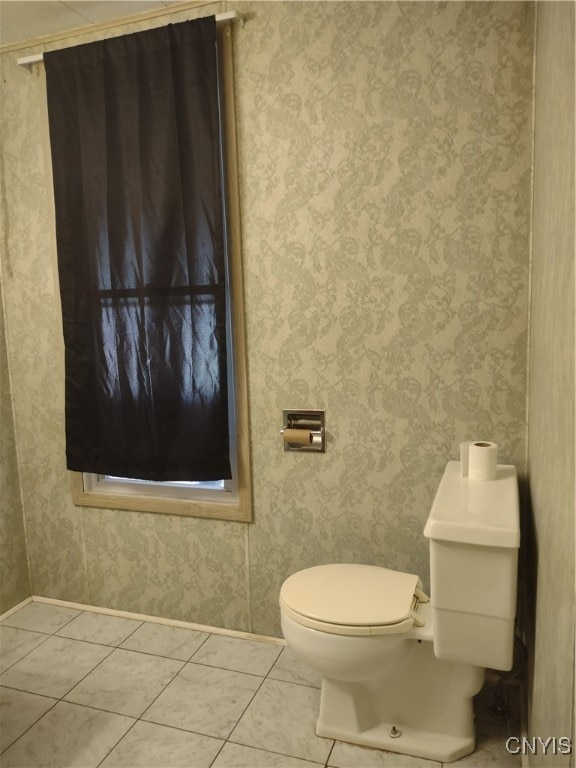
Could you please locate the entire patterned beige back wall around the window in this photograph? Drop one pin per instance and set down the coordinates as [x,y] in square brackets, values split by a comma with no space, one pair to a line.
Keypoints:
[385,154]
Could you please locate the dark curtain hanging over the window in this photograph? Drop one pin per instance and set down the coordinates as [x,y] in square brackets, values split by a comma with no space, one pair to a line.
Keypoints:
[134,132]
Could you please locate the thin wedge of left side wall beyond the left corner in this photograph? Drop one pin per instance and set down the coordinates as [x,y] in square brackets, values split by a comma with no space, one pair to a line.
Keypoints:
[13,559]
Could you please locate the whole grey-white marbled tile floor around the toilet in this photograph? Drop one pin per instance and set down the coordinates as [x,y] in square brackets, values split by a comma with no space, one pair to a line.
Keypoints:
[83,689]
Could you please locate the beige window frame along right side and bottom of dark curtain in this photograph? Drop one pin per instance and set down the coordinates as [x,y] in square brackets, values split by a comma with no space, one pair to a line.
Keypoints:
[235,504]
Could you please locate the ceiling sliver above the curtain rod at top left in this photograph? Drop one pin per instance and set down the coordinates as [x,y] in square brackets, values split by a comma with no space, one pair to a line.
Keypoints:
[22,20]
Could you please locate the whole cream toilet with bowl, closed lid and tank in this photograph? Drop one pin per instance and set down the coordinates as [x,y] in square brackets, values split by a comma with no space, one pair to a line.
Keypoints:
[399,669]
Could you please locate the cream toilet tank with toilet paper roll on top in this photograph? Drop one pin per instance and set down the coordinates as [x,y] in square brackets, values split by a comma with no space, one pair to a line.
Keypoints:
[474,532]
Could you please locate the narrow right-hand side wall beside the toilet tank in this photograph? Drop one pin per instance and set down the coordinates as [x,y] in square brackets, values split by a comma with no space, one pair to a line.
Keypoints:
[551,416]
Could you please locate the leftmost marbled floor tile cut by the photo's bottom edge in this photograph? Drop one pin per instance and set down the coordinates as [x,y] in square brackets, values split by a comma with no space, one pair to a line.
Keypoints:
[68,735]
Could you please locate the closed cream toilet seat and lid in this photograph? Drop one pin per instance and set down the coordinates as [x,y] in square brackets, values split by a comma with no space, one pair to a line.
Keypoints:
[352,599]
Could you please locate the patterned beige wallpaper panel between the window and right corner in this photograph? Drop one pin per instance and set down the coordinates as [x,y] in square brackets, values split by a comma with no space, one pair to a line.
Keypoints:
[385,151]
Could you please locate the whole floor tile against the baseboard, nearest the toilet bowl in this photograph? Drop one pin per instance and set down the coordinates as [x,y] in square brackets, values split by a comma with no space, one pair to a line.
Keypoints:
[239,655]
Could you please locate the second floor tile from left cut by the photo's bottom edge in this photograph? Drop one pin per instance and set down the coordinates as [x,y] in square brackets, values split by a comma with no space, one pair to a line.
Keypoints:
[148,745]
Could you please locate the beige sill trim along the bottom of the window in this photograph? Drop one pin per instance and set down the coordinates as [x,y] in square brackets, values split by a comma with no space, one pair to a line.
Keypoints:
[238,510]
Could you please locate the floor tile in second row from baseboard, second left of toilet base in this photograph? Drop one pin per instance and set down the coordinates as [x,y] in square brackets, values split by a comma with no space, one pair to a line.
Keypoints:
[204,699]
